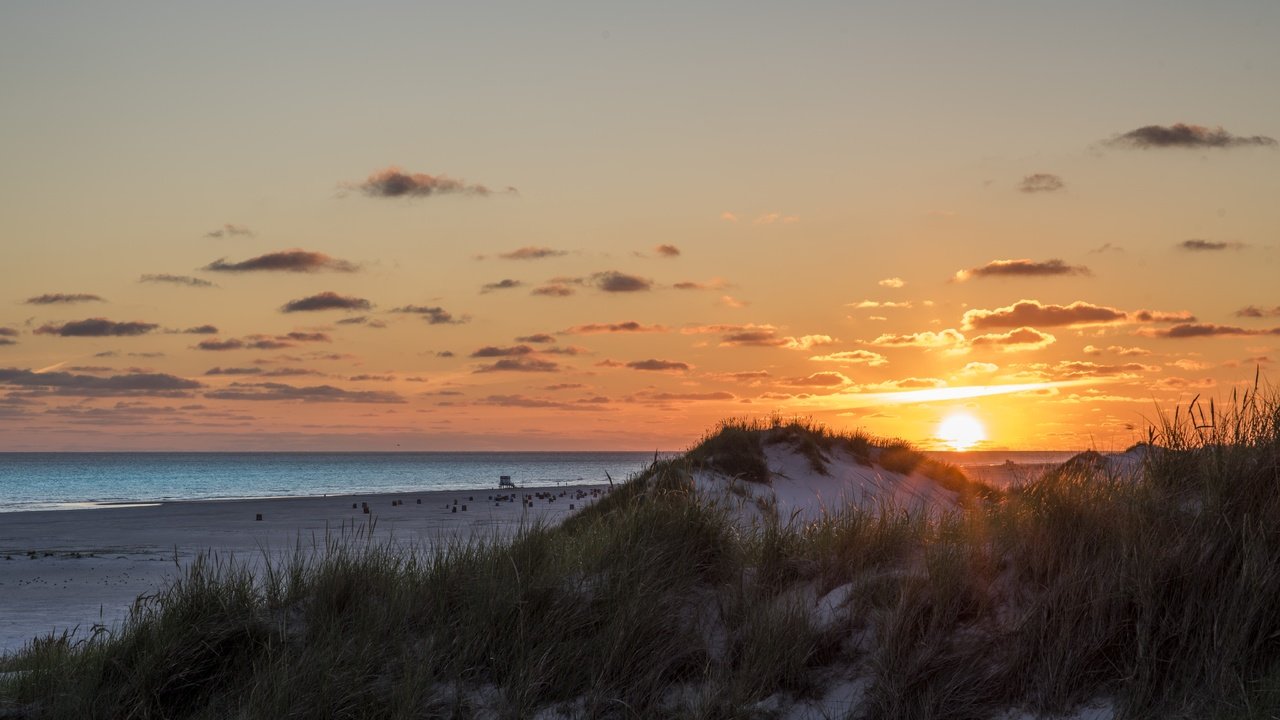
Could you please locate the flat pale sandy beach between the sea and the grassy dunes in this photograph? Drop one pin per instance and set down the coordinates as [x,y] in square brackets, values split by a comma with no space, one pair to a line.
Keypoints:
[62,569]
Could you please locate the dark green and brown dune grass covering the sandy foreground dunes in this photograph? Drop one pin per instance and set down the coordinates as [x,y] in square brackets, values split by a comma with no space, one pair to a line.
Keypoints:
[1155,590]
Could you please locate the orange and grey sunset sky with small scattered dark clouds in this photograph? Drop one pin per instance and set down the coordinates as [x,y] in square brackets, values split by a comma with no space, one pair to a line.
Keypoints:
[605,226]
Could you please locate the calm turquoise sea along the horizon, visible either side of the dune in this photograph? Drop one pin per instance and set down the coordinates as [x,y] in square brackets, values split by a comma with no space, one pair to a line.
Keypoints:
[56,481]
